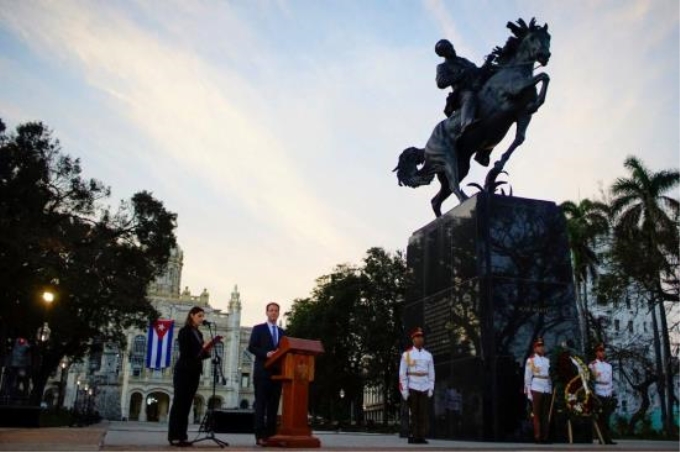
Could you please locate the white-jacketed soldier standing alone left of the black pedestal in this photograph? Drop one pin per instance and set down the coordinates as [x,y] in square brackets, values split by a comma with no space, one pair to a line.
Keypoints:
[416,384]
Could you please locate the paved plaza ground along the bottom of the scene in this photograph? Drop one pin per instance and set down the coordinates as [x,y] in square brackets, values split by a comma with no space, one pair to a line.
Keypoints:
[136,436]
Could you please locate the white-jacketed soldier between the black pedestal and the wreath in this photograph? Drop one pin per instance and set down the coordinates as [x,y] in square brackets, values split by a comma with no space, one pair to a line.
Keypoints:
[538,387]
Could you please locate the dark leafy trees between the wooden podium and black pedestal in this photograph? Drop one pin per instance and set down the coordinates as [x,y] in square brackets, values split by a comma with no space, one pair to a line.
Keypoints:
[356,312]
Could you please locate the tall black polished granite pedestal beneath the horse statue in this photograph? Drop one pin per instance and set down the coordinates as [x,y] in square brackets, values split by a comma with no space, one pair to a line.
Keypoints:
[490,275]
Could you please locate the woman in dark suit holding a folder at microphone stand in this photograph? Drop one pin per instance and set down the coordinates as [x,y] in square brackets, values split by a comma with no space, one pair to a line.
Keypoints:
[188,368]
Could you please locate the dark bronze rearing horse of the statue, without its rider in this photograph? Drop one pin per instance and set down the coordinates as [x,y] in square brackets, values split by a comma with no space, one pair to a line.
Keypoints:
[508,96]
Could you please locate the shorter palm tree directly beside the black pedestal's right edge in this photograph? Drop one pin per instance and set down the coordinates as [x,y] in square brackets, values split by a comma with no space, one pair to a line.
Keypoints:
[586,222]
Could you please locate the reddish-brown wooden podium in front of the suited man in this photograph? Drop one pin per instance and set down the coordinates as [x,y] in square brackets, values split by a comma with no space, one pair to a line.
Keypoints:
[296,360]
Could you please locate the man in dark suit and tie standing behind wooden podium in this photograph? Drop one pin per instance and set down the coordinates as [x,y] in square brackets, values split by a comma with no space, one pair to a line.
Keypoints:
[264,341]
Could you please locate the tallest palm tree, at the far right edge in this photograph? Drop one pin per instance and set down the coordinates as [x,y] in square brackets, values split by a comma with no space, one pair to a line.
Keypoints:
[645,214]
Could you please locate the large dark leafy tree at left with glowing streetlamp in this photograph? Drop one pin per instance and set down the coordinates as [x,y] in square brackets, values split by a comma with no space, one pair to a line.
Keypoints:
[57,234]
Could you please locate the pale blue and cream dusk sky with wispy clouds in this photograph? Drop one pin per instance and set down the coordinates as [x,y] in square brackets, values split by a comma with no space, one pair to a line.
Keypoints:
[271,127]
